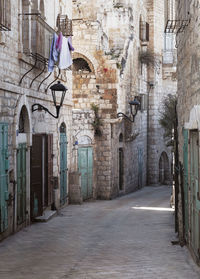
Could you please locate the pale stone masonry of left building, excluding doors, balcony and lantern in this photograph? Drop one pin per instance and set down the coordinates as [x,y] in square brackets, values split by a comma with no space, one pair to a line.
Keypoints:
[13,96]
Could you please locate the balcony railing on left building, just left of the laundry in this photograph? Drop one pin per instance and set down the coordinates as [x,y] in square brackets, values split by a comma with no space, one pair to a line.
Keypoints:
[36,36]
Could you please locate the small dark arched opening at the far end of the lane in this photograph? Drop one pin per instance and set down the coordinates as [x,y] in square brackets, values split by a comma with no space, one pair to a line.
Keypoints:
[164,169]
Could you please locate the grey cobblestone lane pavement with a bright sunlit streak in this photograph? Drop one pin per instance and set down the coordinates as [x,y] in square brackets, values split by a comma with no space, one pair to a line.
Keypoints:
[119,239]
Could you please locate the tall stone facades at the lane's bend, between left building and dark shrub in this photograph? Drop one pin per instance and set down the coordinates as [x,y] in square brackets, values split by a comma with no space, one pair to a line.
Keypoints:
[119,55]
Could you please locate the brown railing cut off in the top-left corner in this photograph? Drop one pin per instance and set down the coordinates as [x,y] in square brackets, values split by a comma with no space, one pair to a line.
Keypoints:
[5,15]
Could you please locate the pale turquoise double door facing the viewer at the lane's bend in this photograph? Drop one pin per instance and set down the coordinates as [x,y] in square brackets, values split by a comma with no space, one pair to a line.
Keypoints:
[85,166]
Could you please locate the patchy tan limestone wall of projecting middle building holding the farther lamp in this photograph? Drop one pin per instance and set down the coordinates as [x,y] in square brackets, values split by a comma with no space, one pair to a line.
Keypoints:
[106,36]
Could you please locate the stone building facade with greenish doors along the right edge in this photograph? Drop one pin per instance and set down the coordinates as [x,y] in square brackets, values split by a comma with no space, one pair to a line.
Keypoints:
[188,109]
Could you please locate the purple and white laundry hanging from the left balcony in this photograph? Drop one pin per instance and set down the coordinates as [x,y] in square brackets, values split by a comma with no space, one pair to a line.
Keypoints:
[61,48]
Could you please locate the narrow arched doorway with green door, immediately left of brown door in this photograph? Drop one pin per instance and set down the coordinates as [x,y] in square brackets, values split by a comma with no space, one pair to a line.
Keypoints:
[23,131]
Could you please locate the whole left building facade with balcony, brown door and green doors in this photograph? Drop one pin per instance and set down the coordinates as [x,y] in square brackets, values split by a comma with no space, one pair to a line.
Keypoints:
[31,143]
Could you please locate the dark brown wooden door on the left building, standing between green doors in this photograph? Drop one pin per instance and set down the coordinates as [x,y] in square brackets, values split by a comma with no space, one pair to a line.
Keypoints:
[41,173]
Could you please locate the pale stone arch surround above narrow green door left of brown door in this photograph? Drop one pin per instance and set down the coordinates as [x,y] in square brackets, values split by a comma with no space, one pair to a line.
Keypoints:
[22,107]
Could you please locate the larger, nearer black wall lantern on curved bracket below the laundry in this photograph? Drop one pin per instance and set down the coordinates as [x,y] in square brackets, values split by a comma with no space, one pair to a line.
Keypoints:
[56,89]
